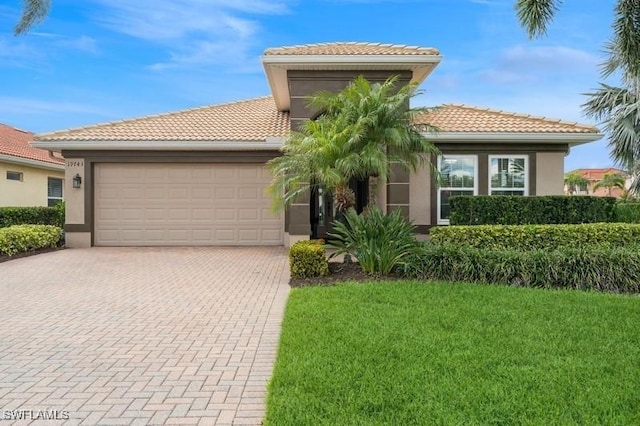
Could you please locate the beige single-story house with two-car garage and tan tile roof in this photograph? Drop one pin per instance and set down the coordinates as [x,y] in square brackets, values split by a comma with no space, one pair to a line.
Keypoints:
[198,177]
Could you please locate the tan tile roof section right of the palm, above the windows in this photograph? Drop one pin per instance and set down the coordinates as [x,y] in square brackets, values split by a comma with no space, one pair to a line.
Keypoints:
[466,118]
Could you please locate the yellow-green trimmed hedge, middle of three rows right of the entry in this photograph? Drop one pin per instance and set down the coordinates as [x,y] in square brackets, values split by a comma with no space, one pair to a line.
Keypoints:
[538,237]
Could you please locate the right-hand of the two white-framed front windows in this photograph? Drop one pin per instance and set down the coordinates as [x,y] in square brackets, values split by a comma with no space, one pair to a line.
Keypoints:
[508,175]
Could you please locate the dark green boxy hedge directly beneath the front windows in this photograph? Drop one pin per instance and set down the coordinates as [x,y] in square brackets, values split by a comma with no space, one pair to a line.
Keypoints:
[512,210]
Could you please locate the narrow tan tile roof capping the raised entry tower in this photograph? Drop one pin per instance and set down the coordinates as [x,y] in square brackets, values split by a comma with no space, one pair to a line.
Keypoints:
[351,48]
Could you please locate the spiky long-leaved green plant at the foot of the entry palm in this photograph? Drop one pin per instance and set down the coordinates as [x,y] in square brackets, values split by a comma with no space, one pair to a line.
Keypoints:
[377,240]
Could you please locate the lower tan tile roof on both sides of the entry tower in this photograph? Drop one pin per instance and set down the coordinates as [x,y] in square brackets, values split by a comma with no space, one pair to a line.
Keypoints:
[257,119]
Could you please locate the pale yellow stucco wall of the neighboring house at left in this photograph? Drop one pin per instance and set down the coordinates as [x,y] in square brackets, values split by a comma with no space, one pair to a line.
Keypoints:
[32,191]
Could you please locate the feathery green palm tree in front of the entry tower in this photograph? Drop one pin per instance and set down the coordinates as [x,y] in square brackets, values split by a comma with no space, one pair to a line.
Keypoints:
[361,131]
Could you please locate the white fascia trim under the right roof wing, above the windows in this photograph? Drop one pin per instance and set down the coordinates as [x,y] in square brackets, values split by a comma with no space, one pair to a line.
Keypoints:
[515,137]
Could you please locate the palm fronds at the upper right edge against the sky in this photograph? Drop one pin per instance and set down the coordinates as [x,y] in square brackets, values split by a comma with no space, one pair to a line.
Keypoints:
[617,108]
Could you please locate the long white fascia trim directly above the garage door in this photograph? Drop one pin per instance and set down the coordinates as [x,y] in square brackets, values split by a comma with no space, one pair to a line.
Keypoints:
[274,143]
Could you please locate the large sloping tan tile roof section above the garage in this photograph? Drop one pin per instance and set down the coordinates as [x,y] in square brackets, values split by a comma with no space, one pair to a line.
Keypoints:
[249,120]
